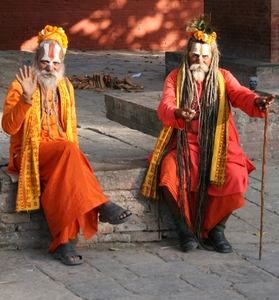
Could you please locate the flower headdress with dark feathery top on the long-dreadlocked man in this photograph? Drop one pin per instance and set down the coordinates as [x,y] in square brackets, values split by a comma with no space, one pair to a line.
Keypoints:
[201,29]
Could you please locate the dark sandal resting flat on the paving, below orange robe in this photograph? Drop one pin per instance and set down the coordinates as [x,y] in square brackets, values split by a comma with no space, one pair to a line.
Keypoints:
[64,252]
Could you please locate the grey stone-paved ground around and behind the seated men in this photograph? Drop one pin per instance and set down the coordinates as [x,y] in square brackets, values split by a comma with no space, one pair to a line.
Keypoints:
[153,270]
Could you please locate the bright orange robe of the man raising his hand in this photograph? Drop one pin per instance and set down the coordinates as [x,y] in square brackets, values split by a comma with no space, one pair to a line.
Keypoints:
[71,192]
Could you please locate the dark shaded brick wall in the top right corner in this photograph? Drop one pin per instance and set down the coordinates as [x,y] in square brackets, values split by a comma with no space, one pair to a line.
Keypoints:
[247,29]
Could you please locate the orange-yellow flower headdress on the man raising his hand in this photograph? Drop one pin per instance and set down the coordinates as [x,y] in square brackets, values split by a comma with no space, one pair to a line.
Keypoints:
[54,33]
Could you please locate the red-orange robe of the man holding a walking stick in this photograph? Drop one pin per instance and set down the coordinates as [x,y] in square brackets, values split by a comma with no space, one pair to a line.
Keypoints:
[221,201]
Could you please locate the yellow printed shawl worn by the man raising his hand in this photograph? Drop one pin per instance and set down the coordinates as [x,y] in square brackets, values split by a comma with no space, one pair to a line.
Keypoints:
[29,189]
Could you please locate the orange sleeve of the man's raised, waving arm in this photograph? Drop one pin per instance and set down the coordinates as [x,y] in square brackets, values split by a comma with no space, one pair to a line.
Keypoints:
[14,109]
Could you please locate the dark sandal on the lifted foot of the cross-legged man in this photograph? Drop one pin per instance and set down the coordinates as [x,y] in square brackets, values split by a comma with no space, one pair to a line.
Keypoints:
[112,214]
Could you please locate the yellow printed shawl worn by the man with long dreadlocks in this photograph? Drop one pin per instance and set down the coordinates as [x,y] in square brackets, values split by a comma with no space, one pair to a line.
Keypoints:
[218,169]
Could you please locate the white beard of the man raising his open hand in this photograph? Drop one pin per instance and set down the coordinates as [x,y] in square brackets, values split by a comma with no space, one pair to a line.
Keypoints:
[49,80]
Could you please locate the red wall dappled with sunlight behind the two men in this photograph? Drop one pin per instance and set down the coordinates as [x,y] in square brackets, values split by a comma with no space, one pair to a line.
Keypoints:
[96,25]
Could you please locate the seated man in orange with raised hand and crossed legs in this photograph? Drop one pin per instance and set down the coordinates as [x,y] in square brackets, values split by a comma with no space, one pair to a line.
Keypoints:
[39,114]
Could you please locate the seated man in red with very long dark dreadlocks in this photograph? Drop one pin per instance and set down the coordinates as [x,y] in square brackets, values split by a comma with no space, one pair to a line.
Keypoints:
[197,165]
